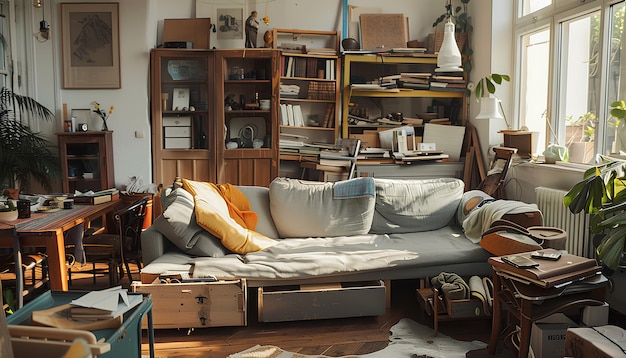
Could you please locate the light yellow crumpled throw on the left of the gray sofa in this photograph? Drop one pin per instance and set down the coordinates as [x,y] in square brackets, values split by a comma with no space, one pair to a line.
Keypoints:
[212,215]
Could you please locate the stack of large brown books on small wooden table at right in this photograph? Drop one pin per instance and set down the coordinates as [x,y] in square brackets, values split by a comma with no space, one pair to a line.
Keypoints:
[564,271]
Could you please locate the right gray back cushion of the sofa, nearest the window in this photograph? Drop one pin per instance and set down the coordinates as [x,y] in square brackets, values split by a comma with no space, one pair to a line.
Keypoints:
[415,205]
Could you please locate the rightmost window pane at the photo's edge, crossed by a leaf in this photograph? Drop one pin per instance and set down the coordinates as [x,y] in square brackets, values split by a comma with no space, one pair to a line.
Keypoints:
[615,139]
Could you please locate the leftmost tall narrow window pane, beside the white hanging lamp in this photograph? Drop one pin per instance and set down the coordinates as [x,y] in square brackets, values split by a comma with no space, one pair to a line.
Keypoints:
[534,84]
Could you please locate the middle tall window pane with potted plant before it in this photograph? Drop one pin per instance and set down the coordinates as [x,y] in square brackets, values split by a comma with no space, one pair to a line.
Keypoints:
[579,86]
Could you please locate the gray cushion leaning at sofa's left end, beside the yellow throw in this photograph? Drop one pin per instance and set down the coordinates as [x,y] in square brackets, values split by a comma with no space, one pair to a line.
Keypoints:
[178,224]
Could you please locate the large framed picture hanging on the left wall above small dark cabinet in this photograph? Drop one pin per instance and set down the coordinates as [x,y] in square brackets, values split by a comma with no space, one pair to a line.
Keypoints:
[90,45]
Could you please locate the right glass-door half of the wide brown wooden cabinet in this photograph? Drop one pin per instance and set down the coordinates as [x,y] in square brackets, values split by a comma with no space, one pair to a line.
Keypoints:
[246,132]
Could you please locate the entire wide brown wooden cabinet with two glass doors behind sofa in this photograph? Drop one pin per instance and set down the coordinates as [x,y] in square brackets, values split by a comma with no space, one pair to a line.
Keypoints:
[204,100]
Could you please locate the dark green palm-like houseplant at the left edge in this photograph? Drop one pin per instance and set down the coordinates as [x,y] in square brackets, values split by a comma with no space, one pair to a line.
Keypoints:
[24,155]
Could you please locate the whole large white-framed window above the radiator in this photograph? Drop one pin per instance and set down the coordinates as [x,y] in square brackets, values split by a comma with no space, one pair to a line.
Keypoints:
[566,99]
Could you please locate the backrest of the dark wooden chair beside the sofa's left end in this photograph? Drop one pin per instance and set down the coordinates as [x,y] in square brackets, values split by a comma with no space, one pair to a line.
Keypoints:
[129,224]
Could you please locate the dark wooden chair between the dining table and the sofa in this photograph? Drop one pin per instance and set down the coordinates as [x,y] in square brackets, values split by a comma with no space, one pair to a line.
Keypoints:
[119,248]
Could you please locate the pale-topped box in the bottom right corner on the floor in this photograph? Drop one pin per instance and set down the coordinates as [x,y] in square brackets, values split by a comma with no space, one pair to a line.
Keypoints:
[594,342]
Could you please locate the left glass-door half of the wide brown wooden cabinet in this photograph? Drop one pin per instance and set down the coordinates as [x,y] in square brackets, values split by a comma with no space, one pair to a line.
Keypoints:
[182,128]
